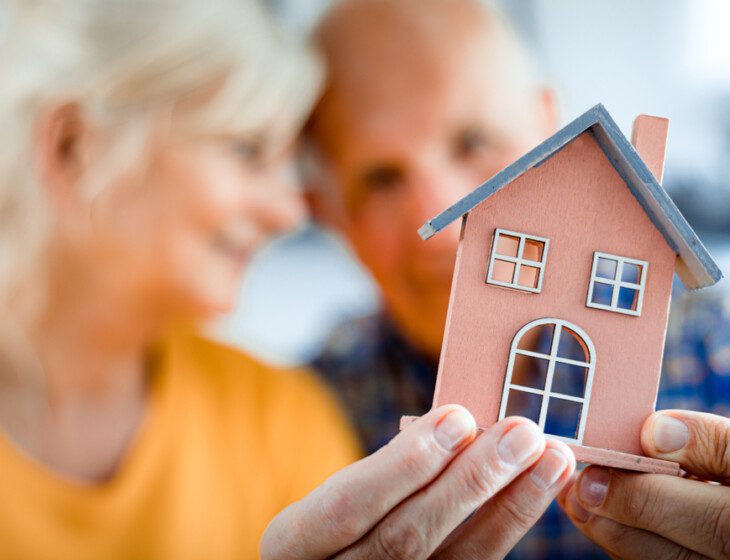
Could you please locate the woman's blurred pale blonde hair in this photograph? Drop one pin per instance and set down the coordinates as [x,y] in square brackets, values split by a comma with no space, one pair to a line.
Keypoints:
[122,61]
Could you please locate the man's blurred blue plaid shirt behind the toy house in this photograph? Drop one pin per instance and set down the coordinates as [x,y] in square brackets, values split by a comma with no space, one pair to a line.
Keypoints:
[380,378]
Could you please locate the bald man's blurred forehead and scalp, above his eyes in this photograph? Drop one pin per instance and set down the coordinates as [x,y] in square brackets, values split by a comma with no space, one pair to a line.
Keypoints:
[451,61]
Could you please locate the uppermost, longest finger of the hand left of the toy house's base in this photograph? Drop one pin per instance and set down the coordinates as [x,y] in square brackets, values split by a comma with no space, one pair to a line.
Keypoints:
[356,498]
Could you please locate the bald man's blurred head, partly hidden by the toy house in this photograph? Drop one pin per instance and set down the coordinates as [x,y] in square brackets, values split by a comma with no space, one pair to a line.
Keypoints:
[426,100]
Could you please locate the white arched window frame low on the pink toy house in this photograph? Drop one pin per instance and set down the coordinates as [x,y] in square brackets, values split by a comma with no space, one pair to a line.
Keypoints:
[553,358]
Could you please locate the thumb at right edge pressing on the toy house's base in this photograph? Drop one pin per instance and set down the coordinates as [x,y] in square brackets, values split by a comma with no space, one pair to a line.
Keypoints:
[698,441]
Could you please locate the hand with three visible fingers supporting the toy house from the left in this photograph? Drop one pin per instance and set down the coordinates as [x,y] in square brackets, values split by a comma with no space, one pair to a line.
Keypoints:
[408,499]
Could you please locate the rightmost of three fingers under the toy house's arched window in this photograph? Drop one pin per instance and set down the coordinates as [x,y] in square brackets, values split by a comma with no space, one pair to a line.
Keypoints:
[501,522]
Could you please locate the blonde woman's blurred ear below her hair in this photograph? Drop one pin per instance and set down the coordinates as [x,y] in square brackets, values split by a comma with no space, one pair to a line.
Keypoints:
[61,138]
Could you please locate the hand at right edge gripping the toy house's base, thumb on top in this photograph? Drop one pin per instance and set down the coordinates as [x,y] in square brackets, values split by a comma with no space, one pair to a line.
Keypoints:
[635,515]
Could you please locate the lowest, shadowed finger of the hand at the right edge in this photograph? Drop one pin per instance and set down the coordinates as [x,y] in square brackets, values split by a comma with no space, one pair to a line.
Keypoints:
[622,541]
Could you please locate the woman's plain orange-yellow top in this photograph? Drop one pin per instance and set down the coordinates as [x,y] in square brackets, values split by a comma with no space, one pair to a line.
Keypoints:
[227,443]
